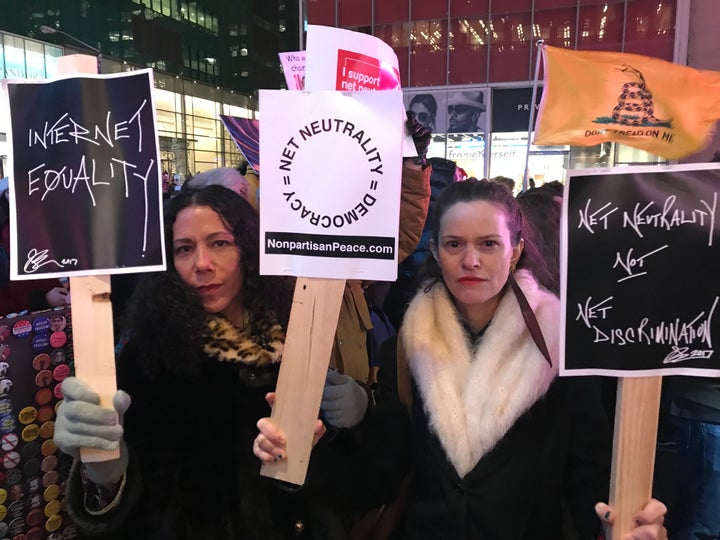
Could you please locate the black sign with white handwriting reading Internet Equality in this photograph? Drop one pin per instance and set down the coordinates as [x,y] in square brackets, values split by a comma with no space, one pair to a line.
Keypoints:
[85,177]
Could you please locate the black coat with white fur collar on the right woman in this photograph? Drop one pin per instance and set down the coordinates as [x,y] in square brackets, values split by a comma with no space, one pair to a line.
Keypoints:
[502,449]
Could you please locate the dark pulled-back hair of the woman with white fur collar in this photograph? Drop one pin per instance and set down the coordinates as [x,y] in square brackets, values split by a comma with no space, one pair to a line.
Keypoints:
[496,193]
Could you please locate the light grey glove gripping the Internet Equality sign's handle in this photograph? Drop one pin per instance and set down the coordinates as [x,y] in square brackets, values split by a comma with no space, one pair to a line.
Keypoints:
[82,423]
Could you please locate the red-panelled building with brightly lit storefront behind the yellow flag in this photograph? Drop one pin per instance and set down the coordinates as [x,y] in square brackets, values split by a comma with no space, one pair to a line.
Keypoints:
[450,48]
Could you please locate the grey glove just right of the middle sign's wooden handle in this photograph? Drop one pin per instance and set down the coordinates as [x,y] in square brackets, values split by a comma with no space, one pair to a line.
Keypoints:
[344,401]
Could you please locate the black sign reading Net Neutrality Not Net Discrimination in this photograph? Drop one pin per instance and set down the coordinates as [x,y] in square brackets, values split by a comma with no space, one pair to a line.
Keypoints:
[641,274]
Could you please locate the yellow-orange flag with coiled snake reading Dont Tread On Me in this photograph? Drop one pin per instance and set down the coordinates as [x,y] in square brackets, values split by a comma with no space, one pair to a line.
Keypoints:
[593,97]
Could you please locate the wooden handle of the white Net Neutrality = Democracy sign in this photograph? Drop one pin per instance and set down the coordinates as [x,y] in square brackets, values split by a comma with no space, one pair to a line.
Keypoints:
[308,345]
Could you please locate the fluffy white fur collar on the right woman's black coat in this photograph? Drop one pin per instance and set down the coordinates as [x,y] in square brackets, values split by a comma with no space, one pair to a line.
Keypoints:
[472,399]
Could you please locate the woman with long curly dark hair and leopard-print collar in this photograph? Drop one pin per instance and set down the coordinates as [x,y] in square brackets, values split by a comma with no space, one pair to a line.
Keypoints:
[203,344]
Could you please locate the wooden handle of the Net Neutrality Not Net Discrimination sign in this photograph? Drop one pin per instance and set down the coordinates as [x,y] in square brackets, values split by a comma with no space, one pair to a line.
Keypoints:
[636,422]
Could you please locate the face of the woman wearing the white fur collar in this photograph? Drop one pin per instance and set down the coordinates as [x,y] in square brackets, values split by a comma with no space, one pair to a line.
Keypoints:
[475,253]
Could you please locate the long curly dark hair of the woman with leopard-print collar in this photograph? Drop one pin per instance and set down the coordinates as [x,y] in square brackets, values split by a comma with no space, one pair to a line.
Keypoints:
[165,320]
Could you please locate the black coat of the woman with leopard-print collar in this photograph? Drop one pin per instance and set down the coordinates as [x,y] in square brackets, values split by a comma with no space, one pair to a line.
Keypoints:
[192,473]
